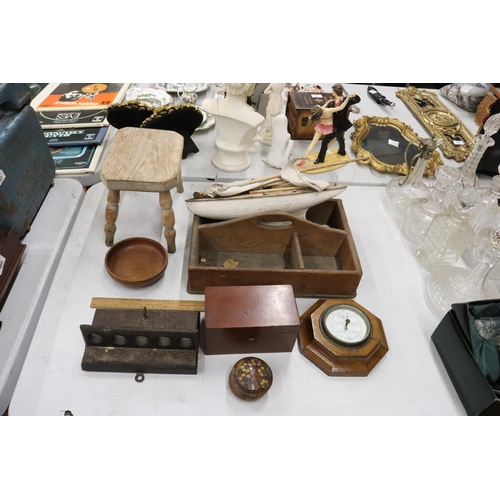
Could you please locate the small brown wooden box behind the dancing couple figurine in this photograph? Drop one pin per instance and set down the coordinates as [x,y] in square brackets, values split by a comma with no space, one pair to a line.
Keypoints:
[297,111]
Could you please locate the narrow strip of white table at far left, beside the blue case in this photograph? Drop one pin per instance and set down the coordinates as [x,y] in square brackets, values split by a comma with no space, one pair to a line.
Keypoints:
[44,246]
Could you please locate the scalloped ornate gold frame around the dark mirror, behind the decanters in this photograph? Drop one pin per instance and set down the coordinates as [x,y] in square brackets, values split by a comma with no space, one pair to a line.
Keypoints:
[361,128]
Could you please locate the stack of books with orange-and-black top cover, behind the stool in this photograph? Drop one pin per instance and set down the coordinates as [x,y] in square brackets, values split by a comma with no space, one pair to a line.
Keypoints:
[73,120]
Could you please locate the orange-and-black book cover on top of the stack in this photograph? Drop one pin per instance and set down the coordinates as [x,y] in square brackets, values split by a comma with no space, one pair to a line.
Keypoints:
[79,95]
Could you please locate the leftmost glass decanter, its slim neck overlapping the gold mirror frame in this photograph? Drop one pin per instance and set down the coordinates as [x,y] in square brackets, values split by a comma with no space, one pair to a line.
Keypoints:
[401,192]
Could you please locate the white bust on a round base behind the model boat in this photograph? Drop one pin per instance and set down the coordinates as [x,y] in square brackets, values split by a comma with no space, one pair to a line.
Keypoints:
[237,126]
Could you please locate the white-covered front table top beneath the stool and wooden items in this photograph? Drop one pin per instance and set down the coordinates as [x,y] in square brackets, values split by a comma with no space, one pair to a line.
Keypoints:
[409,380]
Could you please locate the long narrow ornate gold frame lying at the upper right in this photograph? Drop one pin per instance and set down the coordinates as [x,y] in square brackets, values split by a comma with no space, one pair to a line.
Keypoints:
[439,121]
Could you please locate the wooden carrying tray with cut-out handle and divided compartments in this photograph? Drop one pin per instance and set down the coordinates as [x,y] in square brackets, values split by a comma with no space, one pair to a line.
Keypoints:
[274,248]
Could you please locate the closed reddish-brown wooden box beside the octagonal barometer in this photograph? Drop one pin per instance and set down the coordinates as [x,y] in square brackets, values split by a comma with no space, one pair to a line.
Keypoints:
[249,319]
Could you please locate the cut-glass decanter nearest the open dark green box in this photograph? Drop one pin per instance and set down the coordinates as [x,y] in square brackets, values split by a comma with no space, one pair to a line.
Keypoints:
[453,285]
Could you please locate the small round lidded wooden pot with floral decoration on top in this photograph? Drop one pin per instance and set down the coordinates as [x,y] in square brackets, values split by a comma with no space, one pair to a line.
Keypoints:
[250,378]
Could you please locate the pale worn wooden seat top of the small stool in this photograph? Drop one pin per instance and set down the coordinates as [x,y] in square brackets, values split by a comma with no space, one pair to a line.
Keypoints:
[143,160]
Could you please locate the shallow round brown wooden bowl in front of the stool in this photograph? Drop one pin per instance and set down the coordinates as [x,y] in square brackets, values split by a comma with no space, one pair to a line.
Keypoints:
[136,262]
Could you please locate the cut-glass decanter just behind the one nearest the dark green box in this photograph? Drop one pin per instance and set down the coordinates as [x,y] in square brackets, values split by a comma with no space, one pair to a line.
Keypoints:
[449,233]
